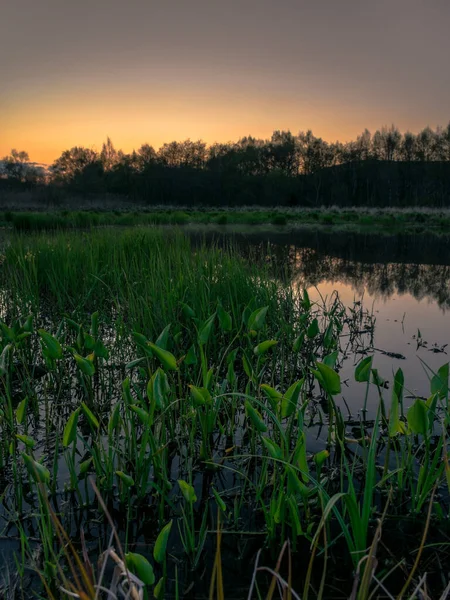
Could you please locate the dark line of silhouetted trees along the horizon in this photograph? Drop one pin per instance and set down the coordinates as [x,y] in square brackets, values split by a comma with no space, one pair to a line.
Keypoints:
[385,169]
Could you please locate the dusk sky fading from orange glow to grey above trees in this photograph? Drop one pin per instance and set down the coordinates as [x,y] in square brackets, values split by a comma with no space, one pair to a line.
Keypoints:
[152,71]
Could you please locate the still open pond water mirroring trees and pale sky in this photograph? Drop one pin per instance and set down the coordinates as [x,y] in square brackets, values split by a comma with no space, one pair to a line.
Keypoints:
[403,280]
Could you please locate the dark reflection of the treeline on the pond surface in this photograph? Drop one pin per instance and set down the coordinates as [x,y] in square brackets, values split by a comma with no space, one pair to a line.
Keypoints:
[381,265]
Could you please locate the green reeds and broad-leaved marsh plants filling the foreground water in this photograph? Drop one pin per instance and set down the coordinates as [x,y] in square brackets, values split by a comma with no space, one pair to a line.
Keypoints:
[188,402]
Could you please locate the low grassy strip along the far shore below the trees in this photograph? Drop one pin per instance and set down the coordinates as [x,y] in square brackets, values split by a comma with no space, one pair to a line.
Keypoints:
[389,219]
